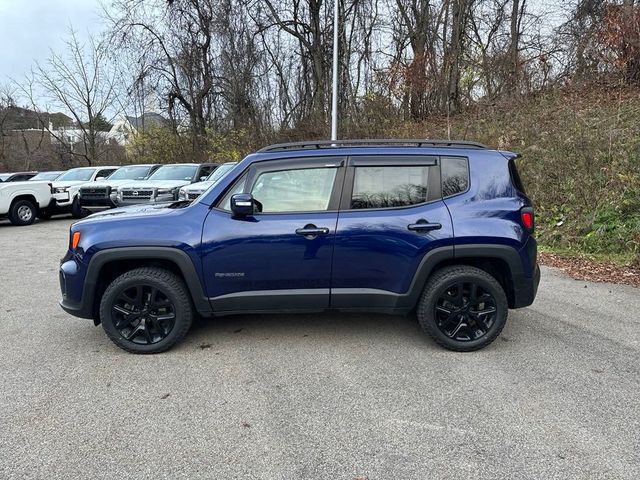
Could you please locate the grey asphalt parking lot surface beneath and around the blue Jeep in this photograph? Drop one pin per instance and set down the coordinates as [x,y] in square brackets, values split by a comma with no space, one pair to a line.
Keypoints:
[316,396]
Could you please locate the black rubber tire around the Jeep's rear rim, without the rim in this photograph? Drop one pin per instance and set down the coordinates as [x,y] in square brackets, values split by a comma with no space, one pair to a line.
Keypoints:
[429,318]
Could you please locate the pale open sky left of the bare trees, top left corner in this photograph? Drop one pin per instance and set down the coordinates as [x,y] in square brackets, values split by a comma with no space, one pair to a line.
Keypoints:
[30,28]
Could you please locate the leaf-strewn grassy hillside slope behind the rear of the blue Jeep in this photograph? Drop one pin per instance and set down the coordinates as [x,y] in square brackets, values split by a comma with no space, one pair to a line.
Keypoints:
[581,162]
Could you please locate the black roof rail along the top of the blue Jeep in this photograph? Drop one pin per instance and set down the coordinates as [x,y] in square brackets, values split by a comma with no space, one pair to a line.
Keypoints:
[317,144]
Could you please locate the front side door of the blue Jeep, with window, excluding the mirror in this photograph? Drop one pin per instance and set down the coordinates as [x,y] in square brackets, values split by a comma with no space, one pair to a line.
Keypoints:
[279,258]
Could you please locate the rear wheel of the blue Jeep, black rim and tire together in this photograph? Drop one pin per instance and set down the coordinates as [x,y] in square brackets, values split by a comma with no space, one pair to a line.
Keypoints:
[457,315]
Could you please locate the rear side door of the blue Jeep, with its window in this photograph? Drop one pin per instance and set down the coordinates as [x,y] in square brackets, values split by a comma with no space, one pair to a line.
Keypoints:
[391,216]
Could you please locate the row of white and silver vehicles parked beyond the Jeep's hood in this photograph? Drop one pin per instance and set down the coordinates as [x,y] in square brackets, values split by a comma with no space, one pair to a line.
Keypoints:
[26,196]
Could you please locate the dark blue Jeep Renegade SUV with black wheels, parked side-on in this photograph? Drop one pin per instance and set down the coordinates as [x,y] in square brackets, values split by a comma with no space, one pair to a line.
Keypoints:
[440,228]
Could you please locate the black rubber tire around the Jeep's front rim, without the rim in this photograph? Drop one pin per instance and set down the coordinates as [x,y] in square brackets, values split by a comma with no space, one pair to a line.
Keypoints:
[117,287]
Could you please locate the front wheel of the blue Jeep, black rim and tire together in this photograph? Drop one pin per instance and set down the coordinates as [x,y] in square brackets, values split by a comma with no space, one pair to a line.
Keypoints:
[143,327]
